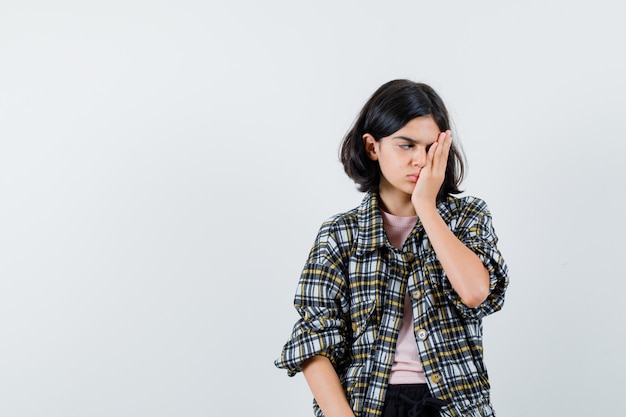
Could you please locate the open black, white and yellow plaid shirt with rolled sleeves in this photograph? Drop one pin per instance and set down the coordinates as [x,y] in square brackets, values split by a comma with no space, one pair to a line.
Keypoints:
[351,296]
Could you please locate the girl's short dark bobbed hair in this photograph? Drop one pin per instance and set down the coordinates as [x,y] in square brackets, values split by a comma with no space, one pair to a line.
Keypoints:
[391,107]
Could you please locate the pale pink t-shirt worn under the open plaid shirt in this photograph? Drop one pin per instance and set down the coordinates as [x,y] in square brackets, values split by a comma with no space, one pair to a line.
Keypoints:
[407,367]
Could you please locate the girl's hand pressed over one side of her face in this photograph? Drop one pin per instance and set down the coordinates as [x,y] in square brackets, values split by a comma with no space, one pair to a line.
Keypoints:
[433,173]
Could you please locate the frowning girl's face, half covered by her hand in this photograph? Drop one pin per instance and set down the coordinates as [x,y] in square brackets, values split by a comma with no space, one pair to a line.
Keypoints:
[402,155]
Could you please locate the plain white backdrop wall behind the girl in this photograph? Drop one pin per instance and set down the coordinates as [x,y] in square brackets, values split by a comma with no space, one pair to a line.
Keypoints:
[165,165]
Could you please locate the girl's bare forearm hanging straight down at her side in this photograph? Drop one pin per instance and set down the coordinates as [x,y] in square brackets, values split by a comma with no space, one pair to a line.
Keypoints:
[324,383]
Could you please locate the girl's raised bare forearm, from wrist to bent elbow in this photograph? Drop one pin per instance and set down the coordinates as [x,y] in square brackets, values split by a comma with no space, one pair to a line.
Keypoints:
[464,269]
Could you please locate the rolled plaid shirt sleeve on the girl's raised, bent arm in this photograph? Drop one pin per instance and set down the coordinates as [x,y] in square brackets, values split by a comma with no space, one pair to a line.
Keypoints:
[474,228]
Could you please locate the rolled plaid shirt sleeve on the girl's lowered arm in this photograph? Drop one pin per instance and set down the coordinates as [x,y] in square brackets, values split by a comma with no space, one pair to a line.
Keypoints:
[321,303]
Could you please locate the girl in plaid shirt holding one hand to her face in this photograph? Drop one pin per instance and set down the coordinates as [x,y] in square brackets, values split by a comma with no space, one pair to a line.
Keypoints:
[393,293]
